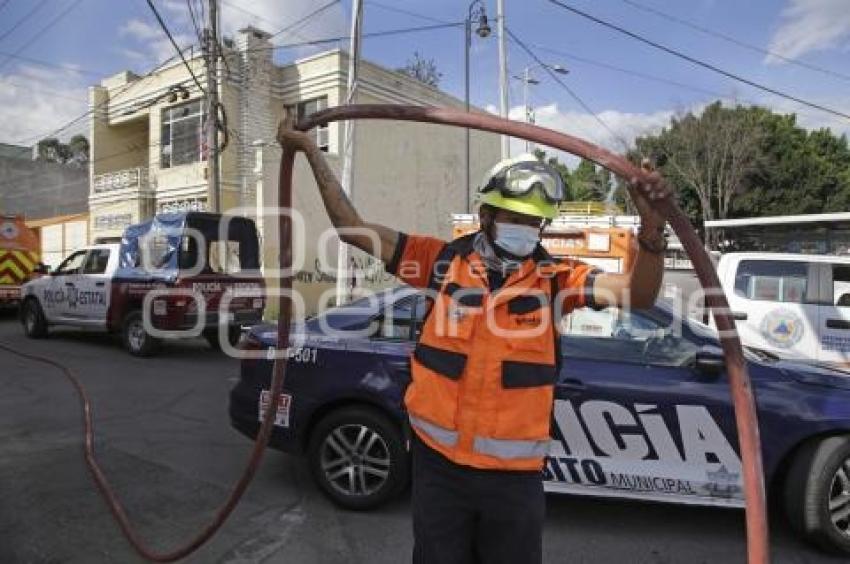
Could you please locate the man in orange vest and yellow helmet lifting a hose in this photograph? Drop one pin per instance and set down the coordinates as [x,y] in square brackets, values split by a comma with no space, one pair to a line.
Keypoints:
[484,367]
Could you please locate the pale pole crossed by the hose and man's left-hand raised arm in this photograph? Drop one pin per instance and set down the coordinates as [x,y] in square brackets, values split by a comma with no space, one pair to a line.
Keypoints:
[343,289]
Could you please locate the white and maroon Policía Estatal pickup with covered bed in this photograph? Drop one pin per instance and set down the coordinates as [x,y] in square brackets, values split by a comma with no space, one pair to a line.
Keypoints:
[178,274]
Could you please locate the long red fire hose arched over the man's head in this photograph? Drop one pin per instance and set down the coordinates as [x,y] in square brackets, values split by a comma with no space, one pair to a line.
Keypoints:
[757,545]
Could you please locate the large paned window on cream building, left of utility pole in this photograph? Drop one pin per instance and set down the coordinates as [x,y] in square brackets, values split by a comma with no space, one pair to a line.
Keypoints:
[182,135]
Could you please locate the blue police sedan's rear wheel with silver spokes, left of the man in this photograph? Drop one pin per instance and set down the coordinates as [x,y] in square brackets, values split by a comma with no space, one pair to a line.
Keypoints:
[357,457]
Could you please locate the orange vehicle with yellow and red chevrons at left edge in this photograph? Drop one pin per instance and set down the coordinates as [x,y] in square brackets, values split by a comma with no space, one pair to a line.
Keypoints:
[19,257]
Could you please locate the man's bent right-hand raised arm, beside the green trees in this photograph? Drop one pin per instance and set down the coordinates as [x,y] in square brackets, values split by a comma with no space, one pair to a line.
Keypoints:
[639,287]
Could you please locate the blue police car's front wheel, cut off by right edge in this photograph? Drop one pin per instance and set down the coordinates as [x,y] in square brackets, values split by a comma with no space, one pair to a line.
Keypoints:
[817,493]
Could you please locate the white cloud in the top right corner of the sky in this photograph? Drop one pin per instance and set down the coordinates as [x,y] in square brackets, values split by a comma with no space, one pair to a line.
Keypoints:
[810,25]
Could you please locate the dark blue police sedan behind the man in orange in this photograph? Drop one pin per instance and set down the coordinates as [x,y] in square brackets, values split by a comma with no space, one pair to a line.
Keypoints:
[642,411]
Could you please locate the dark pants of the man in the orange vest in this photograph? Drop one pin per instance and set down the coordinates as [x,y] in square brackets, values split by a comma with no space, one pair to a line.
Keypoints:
[463,515]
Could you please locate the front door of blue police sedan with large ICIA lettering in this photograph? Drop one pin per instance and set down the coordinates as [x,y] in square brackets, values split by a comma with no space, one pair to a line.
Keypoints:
[634,418]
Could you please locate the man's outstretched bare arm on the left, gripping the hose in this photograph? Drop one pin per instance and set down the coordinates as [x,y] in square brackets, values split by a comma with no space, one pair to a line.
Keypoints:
[342,213]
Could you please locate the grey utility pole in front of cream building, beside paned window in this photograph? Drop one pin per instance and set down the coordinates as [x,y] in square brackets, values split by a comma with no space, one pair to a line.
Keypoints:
[211,61]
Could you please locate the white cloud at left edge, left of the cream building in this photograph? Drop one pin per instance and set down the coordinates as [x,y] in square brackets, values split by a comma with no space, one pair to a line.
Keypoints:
[34,102]
